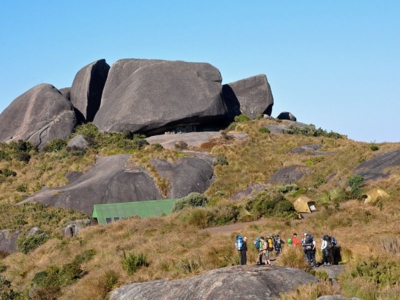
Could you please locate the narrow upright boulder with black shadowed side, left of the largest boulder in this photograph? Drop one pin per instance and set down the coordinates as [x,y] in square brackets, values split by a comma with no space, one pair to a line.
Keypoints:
[87,89]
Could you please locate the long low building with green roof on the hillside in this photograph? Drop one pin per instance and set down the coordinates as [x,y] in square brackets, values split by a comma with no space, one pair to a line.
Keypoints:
[110,212]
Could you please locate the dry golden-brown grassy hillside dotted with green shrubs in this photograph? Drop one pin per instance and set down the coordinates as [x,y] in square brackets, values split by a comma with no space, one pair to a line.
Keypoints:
[101,258]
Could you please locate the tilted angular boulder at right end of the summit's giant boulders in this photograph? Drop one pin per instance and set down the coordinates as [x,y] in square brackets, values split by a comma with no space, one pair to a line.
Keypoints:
[251,96]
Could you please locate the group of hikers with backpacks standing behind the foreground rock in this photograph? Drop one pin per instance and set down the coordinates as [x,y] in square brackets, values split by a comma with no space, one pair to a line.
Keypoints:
[273,243]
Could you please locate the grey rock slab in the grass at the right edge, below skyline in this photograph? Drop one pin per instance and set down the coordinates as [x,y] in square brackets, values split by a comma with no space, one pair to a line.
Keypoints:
[376,167]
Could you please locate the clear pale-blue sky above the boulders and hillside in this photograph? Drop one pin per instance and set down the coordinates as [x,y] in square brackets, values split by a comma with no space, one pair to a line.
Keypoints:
[334,64]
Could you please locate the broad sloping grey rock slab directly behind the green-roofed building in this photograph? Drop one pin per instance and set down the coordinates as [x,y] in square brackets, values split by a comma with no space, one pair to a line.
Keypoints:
[112,180]
